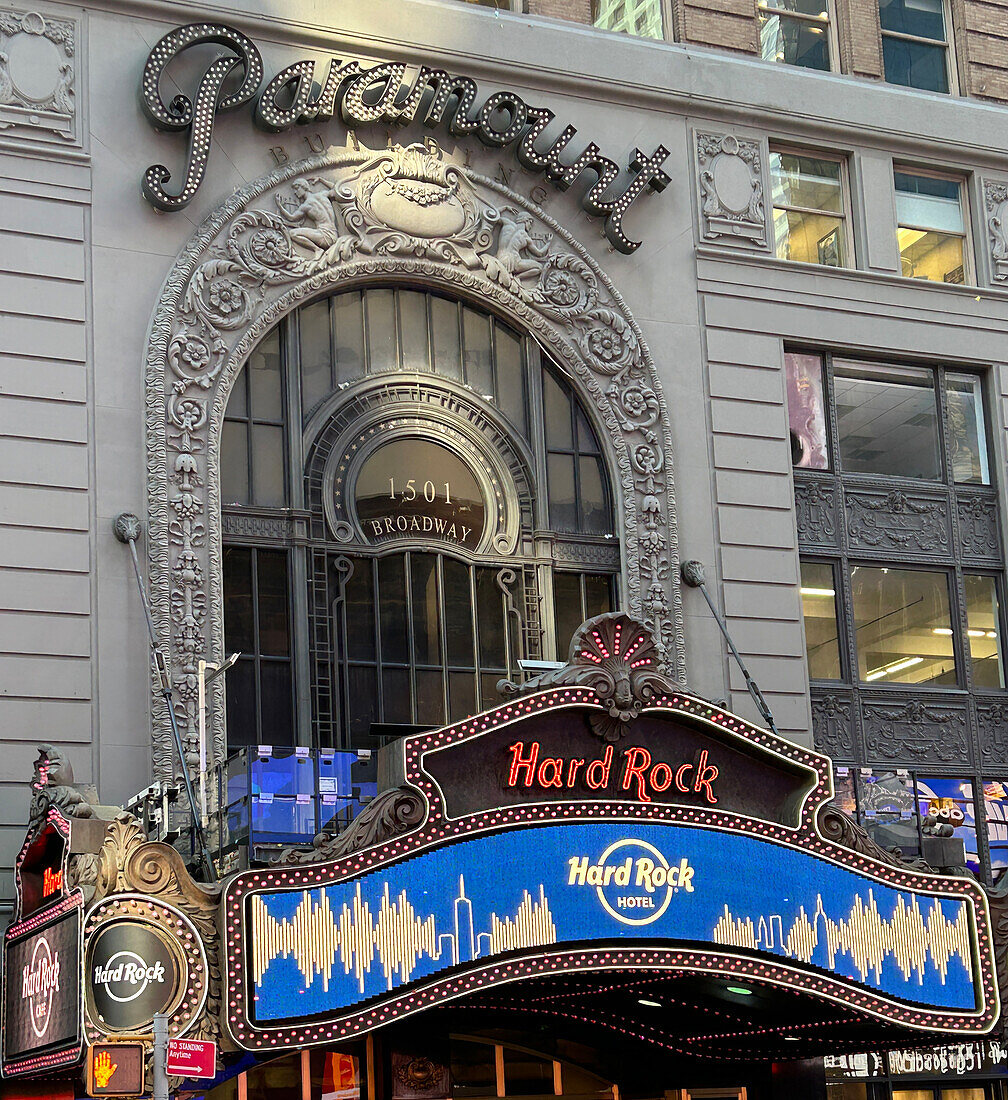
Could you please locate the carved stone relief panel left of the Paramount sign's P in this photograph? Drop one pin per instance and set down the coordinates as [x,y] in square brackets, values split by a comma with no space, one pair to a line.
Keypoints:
[38,73]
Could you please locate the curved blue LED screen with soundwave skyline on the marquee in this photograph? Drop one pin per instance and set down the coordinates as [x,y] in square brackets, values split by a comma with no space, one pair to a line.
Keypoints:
[324,951]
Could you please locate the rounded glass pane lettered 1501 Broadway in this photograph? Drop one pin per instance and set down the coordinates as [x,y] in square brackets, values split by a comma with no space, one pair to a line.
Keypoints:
[417,489]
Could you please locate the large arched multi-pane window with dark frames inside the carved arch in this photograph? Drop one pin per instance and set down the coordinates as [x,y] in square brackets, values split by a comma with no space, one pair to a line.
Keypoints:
[415,505]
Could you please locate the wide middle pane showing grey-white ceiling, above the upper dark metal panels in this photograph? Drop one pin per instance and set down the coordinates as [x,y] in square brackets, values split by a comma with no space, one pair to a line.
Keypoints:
[888,422]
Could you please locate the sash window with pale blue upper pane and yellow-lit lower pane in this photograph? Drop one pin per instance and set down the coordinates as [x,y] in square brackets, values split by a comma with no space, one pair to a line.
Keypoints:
[932,227]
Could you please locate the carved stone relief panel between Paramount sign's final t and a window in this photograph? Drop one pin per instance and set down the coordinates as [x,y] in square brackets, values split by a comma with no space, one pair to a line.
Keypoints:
[730,172]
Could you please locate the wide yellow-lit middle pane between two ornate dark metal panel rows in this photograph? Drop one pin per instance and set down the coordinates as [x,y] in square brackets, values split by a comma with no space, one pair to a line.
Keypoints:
[903,626]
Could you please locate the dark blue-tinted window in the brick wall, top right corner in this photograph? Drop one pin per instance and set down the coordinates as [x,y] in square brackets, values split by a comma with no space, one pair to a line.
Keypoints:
[916,43]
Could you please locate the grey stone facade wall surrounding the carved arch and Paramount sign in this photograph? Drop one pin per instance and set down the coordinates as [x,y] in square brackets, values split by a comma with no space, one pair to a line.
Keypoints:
[85,259]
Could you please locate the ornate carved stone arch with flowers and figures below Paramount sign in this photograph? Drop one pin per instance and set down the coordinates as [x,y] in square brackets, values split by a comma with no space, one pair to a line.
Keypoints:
[358,216]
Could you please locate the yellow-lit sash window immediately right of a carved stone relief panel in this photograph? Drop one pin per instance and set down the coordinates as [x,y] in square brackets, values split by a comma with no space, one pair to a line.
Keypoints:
[810,210]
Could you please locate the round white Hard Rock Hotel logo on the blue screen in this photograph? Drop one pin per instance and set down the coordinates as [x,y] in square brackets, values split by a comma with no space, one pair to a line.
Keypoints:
[633,879]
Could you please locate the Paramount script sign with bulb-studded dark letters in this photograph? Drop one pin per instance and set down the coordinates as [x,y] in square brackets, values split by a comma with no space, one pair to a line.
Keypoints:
[386,94]
